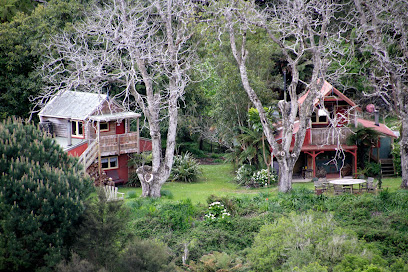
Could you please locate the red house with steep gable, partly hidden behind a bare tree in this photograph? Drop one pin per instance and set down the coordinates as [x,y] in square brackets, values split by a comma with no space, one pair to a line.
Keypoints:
[324,139]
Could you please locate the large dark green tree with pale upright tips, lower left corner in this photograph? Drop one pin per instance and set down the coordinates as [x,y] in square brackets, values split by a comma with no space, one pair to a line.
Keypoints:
[41,198]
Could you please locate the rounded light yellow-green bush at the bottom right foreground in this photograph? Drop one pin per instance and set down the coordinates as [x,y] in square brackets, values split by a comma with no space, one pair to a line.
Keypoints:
[298,240]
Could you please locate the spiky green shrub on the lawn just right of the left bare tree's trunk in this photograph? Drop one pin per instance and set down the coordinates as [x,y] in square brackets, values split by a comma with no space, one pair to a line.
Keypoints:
[185,168]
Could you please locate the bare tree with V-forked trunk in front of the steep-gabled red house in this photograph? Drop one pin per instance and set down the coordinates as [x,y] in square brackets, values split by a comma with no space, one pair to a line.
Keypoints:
[304,32]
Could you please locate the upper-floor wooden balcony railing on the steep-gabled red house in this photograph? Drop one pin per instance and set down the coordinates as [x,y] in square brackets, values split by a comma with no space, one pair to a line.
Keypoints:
[329,136]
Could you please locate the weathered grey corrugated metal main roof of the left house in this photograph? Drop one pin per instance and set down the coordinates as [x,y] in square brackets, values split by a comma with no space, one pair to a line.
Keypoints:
[73,105]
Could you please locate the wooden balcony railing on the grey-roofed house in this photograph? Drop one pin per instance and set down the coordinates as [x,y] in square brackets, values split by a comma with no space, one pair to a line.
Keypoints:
[119,144]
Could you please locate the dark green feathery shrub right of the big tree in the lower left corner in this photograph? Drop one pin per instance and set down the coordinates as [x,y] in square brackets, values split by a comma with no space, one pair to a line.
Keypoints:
[103,231]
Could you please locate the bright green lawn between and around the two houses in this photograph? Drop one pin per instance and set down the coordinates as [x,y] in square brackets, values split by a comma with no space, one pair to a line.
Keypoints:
[218,180]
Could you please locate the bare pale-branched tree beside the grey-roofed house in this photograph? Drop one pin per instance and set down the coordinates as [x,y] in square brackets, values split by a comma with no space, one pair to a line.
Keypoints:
[145,48]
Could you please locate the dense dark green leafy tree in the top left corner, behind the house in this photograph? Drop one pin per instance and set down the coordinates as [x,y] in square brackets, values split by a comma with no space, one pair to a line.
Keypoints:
[22,47]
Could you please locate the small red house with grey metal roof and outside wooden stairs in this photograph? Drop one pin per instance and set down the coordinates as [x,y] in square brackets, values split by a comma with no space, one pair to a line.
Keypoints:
[94,128]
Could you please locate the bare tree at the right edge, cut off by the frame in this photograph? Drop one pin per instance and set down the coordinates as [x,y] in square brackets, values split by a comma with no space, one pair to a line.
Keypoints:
[383,31]
